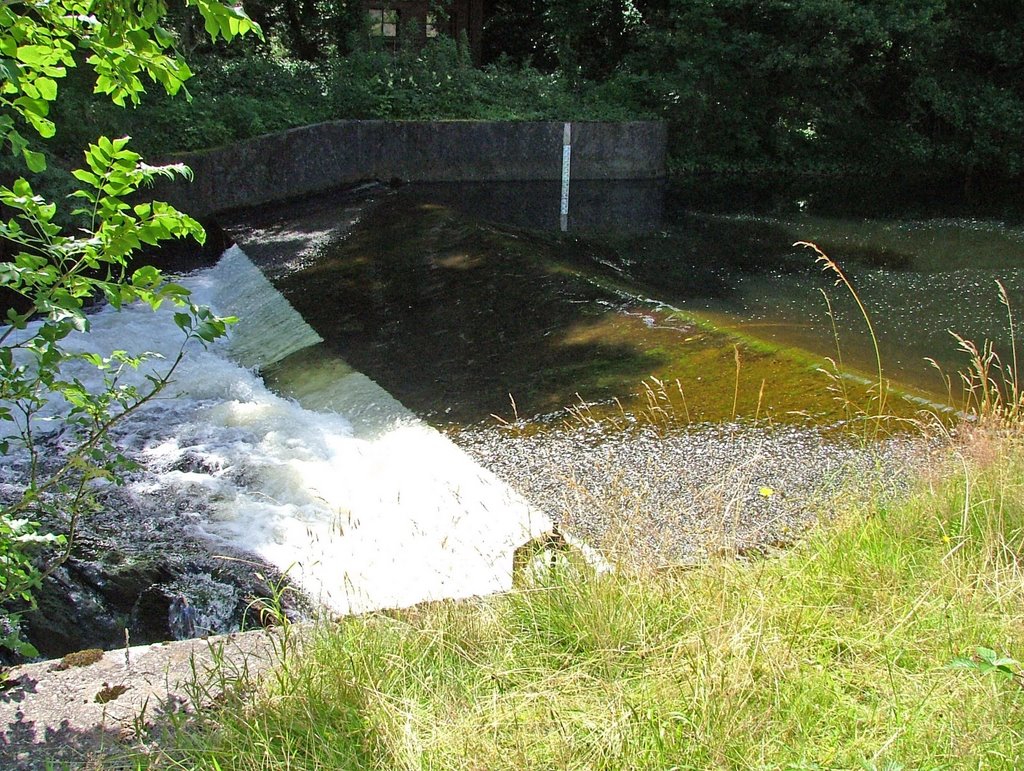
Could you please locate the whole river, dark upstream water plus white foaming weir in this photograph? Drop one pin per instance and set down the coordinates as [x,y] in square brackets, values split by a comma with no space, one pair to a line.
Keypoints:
[657,387]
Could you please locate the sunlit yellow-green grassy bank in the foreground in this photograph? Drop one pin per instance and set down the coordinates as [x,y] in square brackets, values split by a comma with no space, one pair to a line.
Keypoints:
[837,655]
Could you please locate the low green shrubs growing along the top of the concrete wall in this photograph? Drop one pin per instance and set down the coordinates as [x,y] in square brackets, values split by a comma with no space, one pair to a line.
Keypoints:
[240,98]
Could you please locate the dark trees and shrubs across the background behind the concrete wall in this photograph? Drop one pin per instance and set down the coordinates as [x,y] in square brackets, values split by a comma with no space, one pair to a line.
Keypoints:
[921,88]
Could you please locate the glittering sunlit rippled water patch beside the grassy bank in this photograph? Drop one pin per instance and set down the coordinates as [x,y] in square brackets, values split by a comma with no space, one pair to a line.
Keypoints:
[711,489]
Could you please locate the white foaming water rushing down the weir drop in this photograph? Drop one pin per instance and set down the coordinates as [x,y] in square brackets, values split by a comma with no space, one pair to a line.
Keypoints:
[336,483]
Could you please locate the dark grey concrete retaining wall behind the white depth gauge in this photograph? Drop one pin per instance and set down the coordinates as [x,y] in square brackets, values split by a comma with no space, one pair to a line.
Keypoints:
[313,159]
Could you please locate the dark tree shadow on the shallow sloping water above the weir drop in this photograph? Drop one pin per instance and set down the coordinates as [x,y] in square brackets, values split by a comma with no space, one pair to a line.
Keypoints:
[452,317]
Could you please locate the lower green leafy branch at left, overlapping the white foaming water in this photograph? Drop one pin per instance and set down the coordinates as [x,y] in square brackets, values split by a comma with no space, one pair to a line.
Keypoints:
[57,275]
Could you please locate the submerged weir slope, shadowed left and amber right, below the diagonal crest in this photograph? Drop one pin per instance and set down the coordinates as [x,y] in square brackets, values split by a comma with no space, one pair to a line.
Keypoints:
[458,319]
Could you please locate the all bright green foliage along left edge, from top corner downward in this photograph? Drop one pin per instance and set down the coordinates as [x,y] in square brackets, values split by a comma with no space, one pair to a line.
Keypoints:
[50,274]
